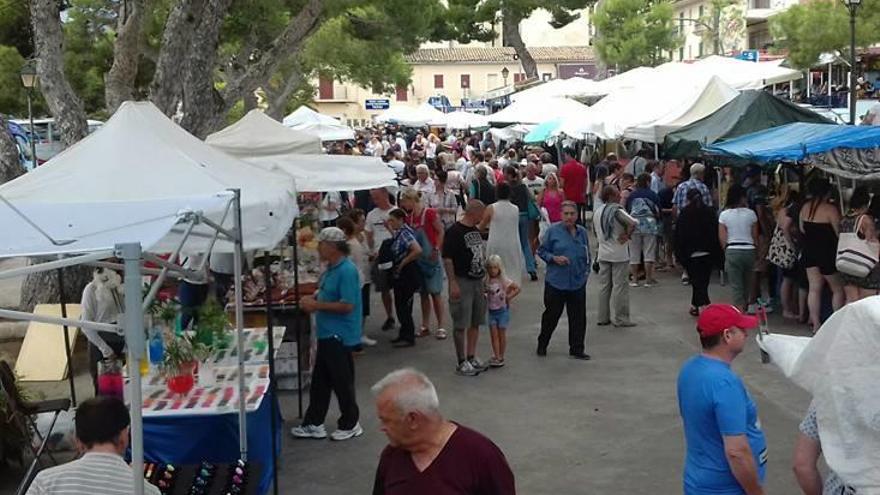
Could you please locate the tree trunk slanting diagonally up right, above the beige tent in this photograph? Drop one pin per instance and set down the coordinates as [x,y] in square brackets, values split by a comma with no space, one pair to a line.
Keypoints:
[289,42]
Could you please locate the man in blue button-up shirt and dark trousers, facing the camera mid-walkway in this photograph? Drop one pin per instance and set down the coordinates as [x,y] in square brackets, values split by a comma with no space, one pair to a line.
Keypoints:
[567,253]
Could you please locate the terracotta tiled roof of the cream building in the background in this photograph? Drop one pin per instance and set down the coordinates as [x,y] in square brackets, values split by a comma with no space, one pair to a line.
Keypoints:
[499,54]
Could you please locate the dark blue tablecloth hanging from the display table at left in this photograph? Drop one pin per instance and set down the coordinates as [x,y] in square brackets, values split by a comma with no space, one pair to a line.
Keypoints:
[193,439]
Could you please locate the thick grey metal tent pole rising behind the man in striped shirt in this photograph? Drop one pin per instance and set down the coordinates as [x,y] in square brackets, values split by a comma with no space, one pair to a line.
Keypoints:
[134,338]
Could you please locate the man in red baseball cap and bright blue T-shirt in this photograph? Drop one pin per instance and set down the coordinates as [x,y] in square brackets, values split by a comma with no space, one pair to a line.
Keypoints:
[726,449]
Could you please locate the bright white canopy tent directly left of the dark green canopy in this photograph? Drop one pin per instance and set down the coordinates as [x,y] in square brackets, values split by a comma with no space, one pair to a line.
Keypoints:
[638,113]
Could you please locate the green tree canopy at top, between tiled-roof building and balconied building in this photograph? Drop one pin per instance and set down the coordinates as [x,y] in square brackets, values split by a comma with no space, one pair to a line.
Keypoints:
[633,33]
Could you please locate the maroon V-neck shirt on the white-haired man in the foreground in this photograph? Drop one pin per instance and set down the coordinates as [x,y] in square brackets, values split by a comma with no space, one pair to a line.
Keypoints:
[469,464]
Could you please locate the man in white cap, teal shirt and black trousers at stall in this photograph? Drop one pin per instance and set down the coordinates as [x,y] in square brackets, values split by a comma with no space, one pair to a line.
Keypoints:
[338,314]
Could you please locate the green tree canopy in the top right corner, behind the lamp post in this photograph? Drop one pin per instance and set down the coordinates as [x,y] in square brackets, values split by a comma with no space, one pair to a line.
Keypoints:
[807,30]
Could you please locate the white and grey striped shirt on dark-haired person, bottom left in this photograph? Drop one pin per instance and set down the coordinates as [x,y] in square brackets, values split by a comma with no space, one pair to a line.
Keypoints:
[93,474]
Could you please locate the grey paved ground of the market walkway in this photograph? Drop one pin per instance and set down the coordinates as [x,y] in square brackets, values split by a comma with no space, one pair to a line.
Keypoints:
[606,426]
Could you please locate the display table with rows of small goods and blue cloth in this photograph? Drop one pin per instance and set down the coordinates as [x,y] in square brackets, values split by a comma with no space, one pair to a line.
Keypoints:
[203,424]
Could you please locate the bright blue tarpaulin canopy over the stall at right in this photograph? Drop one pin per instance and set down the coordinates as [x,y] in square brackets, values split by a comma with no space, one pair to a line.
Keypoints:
[796,142]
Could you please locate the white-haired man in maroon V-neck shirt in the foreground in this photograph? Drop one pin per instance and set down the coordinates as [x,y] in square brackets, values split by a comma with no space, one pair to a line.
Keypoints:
[461,461]
